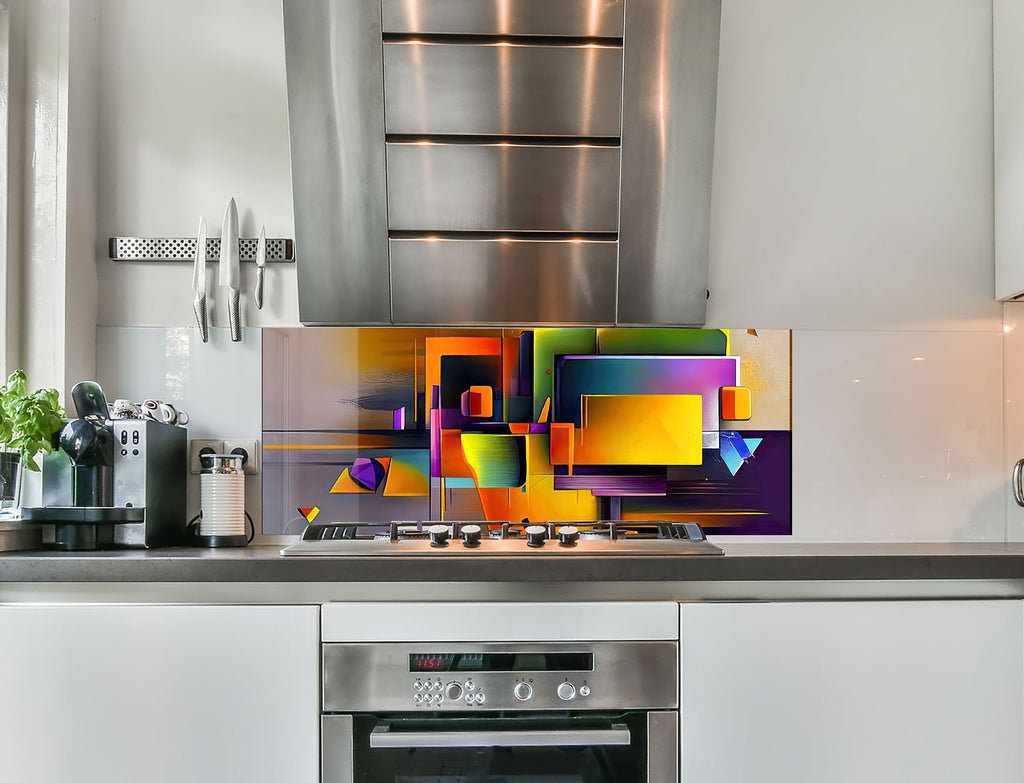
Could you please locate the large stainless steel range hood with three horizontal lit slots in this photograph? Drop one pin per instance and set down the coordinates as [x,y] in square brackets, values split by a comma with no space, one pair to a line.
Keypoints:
[502,162]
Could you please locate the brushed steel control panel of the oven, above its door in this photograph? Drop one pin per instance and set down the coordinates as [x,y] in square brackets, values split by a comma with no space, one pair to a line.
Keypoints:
[627,676]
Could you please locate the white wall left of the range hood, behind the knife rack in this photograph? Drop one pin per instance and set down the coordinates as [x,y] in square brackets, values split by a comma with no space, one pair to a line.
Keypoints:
[194,112]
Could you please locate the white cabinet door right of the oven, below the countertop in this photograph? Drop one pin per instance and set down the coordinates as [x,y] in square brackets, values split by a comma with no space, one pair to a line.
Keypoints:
[852,692]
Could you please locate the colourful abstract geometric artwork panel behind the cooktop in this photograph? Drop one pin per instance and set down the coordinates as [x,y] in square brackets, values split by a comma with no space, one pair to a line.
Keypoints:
[375,425]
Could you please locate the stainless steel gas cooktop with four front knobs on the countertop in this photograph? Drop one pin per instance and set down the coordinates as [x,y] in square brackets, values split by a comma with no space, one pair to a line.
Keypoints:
[468,539]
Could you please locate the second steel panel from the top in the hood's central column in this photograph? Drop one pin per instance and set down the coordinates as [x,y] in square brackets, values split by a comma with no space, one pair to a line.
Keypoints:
[502,90]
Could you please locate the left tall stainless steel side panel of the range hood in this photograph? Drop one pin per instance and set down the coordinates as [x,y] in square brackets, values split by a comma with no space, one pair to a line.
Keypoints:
[336,125]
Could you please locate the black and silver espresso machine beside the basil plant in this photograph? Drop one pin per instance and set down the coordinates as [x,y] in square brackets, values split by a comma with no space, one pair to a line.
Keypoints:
[113,483]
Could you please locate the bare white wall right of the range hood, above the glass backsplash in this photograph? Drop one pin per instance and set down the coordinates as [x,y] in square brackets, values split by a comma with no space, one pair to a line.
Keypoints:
[854,166]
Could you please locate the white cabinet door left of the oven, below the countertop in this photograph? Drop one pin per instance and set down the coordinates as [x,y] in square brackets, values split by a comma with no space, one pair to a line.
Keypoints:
[163,694]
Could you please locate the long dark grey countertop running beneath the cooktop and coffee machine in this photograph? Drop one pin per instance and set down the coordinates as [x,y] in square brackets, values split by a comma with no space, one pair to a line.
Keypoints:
[743,562]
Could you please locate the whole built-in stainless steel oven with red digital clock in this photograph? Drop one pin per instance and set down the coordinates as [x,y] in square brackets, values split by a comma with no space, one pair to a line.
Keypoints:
[516,713]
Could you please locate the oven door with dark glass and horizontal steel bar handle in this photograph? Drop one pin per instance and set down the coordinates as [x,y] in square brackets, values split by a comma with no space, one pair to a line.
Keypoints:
[626,748]
